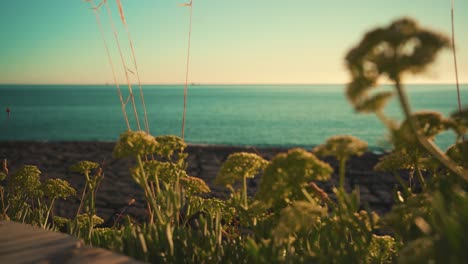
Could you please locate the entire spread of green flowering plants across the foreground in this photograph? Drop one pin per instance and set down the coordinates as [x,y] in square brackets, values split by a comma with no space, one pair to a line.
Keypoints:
[291,220]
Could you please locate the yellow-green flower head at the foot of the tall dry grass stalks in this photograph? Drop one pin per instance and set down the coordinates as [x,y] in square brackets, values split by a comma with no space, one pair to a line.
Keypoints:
[133,143]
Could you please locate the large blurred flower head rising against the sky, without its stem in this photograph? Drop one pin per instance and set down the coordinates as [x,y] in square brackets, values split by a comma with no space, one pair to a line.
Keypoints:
[391,51]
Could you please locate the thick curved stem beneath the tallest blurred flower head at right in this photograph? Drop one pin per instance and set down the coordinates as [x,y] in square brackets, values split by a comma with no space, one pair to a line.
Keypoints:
[429,146]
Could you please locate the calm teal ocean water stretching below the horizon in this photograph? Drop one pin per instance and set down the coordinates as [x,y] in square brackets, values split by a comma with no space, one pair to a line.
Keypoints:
[254,115]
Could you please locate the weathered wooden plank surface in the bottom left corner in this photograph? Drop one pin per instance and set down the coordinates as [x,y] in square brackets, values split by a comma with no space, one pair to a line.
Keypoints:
[21,243]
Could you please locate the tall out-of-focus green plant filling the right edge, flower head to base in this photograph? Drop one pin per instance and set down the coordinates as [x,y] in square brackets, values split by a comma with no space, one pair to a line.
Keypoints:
[426,225]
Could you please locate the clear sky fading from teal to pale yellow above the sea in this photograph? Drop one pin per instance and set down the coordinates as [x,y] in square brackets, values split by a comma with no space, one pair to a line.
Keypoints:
[233,42]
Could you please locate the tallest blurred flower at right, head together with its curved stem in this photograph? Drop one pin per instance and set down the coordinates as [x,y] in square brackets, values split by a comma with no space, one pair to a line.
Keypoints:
[403,47]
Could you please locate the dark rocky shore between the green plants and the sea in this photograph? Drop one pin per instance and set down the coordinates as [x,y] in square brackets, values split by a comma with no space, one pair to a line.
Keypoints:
[117,189]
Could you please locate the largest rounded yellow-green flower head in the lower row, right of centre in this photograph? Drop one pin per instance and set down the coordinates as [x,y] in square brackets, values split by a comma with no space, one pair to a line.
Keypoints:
[287,173]
